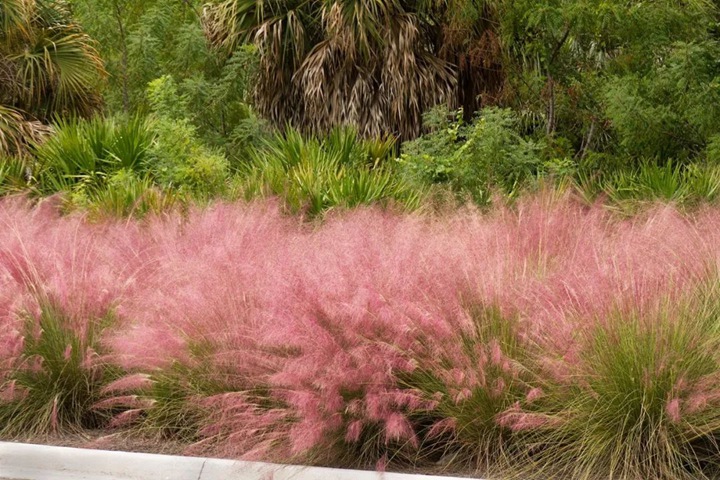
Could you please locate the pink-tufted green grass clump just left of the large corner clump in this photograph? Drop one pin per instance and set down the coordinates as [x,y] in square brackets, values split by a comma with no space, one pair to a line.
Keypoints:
[476,387]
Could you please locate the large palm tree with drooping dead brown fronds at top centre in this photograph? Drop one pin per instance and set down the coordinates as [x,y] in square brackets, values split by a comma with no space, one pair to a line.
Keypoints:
[374,64]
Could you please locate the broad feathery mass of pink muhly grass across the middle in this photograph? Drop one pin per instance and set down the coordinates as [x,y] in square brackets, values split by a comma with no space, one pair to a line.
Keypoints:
[293,338]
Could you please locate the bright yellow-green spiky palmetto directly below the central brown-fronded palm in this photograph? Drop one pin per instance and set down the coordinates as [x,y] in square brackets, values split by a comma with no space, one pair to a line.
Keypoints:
[314,175]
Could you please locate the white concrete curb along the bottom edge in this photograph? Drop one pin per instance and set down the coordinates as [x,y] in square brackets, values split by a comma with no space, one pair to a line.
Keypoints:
[19,461]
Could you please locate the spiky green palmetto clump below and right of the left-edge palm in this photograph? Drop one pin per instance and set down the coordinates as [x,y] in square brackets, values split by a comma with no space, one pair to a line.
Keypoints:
[104,165]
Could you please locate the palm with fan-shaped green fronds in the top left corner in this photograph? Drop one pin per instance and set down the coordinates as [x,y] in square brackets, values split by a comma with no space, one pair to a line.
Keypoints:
[48,67]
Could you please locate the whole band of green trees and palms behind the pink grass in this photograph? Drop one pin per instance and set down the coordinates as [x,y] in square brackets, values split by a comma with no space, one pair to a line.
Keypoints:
[595,90]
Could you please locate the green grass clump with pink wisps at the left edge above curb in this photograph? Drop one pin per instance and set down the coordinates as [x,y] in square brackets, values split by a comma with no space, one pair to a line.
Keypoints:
[58,376]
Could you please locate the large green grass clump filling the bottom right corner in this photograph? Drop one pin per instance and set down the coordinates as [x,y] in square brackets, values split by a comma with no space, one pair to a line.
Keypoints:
[643,402]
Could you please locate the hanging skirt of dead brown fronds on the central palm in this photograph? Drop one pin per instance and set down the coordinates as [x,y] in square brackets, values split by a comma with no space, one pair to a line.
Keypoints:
[381,79]
